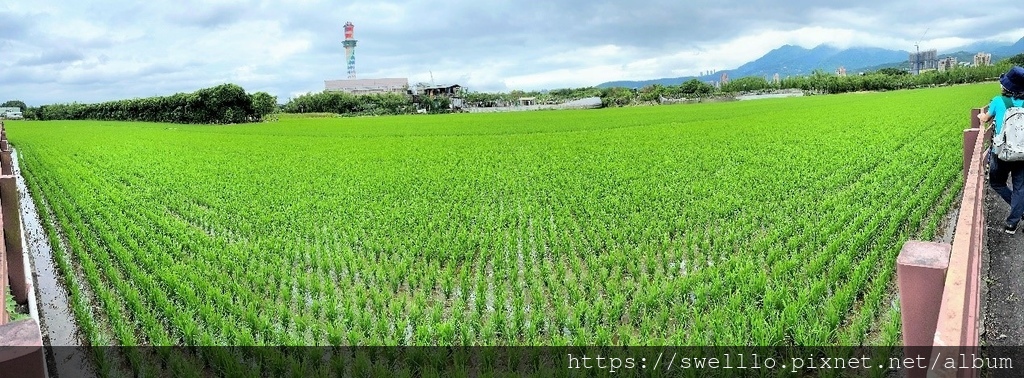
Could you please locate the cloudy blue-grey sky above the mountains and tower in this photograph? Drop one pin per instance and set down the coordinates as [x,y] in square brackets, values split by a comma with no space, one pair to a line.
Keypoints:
[73,51]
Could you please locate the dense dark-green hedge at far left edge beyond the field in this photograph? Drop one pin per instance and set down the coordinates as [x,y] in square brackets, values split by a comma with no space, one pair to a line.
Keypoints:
[221,105]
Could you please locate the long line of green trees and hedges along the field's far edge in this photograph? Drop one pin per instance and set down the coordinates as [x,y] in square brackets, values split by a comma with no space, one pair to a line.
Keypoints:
[231,104]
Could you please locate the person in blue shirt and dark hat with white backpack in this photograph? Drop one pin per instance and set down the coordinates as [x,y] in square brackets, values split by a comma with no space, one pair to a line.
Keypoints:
[1000,171]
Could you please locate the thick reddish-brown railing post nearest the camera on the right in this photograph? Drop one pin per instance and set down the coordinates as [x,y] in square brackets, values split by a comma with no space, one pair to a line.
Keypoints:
[921,275]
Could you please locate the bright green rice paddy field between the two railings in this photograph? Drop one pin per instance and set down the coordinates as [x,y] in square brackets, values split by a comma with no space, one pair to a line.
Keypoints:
[765,223]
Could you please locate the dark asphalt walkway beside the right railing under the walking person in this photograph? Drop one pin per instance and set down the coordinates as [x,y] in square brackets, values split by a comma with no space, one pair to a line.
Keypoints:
[1004,321]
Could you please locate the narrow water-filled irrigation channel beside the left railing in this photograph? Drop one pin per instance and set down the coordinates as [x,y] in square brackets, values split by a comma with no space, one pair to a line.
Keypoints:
[65,354]
